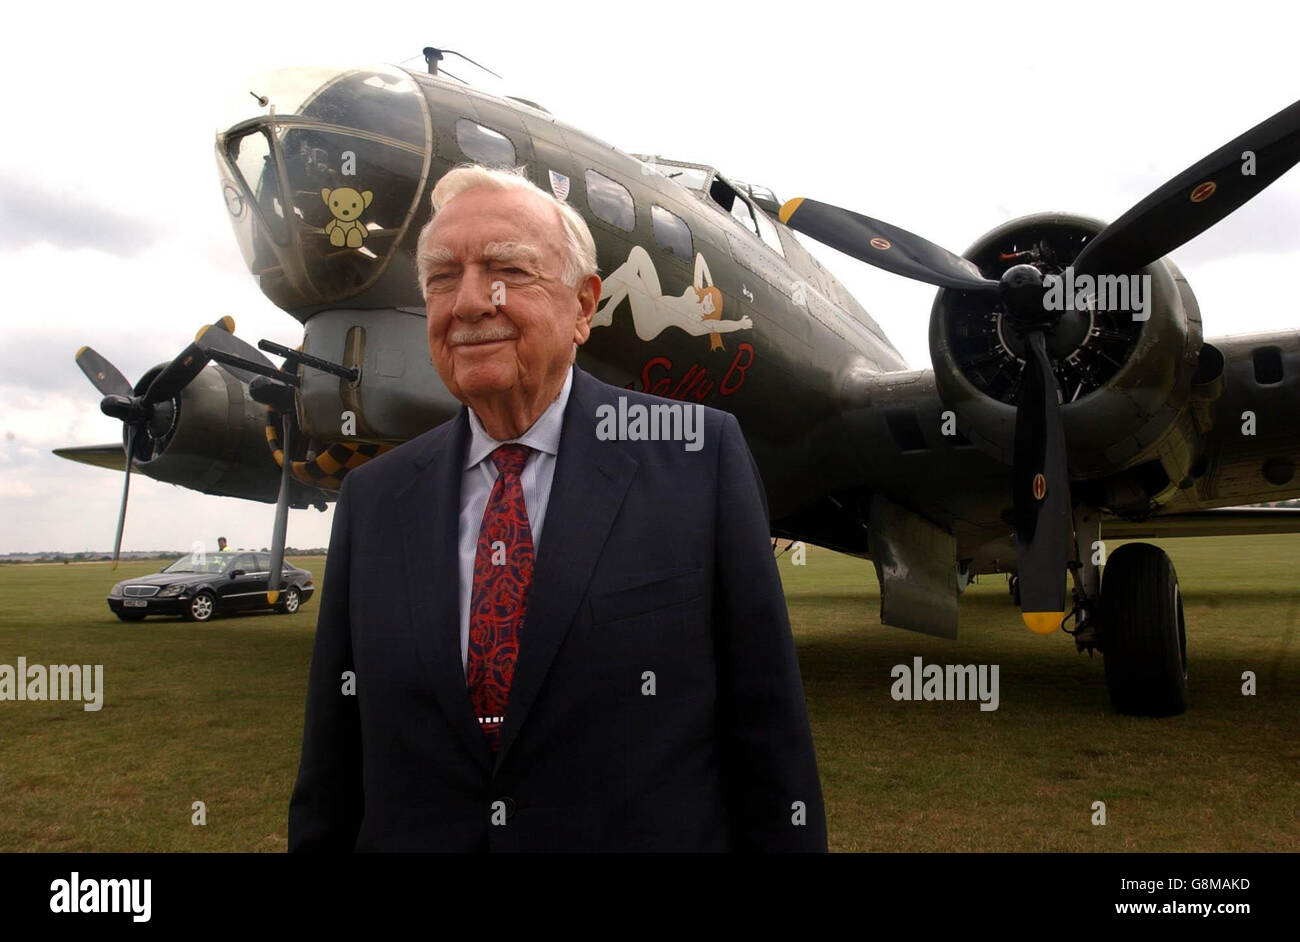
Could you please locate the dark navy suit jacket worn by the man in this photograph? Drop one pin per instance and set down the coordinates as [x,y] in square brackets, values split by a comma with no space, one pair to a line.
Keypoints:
[655,574]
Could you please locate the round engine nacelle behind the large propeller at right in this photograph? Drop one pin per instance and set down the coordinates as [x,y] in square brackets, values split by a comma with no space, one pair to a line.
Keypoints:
[1126,383]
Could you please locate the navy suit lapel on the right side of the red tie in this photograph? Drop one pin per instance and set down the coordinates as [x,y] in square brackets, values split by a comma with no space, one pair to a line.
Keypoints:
[591,481]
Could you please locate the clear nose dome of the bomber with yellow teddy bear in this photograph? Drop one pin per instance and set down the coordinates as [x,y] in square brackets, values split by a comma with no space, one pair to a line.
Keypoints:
[324,181]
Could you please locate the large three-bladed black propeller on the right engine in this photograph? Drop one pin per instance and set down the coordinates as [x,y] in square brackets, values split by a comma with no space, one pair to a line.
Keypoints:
[1171,216]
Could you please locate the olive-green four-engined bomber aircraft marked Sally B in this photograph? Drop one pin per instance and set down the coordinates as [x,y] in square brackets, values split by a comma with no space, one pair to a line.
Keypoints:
[1072,394]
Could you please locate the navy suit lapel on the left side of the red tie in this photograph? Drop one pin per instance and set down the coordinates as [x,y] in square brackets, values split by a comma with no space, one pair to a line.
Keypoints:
[431,509]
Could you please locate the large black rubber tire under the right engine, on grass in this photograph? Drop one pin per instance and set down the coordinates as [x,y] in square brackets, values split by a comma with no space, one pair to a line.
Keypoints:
[1143,633]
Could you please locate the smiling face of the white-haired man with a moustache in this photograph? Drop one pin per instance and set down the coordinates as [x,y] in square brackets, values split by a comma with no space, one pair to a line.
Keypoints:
[501,320]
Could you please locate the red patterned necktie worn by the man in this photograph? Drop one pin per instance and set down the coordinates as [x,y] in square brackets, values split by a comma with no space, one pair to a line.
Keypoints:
[504,571]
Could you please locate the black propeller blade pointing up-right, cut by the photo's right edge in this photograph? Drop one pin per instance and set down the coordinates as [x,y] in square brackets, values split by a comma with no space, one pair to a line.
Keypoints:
[1198,198]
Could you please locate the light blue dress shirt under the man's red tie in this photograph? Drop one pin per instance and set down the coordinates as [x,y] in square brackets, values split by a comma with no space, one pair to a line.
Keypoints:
[480,475]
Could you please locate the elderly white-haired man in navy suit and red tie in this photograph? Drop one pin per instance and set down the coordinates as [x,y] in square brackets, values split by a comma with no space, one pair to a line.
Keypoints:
[556,640]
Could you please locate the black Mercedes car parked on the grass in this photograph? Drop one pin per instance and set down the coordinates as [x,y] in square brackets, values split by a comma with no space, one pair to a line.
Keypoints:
[200,588]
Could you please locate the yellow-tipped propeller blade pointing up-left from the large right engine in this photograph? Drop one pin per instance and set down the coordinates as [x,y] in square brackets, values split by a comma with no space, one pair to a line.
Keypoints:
[883,246]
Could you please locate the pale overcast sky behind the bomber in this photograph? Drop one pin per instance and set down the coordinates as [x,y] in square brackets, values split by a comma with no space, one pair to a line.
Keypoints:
[943,120]
